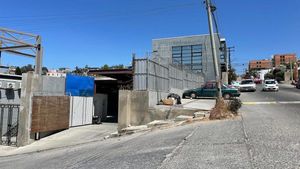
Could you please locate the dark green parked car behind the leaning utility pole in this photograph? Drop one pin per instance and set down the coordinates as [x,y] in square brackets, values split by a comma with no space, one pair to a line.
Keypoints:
[210,90]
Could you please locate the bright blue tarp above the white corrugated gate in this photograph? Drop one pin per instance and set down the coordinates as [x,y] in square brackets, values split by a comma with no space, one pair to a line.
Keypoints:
[79,85]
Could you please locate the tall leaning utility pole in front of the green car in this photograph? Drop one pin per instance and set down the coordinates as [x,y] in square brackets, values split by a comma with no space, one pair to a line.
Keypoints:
[210,8]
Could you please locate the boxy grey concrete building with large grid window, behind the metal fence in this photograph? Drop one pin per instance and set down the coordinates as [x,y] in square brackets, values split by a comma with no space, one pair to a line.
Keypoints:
[191,52]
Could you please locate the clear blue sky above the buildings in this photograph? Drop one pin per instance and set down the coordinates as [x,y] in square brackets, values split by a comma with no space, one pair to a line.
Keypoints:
[98,32]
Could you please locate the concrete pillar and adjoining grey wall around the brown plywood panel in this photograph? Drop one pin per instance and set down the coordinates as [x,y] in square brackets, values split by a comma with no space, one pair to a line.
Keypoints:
[35,85]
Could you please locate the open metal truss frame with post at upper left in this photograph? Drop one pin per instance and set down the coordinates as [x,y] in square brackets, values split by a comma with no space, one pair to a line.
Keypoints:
[24,44]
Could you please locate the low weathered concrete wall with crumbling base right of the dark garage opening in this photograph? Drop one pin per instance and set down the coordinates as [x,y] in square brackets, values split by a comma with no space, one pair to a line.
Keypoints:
[135,110]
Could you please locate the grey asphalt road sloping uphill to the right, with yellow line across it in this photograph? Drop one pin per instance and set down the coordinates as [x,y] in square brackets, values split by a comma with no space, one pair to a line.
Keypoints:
[267,135]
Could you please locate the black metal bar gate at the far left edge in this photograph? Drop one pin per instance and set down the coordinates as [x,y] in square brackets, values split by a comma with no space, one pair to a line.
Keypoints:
[9,118]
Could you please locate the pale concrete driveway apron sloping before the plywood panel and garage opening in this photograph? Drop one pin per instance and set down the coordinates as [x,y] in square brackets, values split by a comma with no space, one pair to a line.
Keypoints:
[71,137]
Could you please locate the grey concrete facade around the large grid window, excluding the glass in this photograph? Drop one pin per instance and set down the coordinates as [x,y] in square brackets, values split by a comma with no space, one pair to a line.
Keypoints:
[163,51]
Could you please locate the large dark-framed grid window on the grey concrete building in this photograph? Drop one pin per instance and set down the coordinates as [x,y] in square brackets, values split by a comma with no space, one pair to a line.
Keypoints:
[189,56]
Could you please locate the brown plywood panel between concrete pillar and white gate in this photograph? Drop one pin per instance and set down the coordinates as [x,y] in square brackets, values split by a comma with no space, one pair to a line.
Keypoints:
[50,113]
